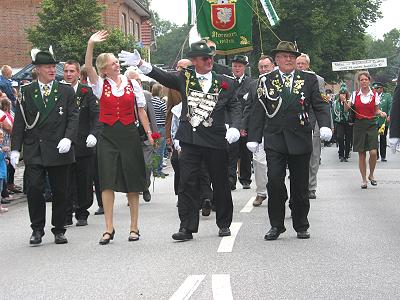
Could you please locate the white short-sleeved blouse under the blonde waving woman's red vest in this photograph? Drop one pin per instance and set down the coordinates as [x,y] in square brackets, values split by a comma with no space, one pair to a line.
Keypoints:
[119,91]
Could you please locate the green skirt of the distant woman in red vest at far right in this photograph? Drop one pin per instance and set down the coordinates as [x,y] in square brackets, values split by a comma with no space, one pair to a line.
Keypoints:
[365,135]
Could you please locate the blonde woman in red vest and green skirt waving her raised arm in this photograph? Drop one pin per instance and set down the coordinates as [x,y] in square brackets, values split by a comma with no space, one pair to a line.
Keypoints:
[119,151]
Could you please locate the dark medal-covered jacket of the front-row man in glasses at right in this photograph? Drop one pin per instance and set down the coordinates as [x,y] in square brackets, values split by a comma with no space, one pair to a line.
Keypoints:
[284,132]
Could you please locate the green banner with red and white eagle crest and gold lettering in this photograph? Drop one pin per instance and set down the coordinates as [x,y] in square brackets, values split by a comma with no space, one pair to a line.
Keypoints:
[228,23]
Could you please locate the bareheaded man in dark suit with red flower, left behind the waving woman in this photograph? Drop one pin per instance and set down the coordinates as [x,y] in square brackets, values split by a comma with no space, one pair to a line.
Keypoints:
[82,172]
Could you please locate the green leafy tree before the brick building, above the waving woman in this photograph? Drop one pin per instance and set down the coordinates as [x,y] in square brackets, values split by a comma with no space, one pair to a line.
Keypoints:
[67,26]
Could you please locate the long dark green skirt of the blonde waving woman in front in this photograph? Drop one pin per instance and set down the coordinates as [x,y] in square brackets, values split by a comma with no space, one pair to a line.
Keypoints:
[120,158]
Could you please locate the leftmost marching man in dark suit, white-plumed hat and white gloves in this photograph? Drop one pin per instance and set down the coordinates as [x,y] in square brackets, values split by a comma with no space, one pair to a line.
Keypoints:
[45,126]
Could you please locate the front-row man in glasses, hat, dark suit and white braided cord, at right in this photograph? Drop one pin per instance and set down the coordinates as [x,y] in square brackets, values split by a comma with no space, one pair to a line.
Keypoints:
[281,114]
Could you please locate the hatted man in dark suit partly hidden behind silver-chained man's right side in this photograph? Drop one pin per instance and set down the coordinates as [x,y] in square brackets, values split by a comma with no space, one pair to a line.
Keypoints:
[238,151]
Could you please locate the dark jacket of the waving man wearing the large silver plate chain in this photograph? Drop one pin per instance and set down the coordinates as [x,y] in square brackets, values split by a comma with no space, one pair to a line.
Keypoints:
[213,136]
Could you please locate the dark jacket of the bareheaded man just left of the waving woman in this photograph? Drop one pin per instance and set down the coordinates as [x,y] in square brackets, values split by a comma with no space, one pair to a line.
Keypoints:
[88,105]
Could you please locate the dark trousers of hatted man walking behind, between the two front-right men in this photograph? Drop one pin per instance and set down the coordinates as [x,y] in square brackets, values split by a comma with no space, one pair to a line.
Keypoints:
[239,151]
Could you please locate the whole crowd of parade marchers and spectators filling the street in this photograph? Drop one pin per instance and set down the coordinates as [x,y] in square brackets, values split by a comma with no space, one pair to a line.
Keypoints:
[97,128]
